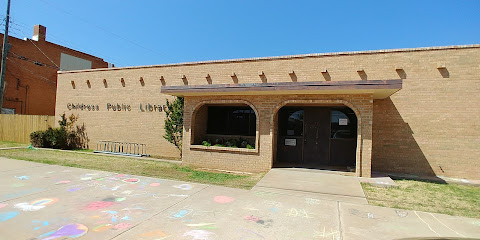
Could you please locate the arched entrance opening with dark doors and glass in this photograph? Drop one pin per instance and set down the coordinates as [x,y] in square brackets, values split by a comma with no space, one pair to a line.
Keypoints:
[321,137]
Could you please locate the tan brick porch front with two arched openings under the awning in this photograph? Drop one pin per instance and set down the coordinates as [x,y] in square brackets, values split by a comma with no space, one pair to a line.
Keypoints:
[266,107]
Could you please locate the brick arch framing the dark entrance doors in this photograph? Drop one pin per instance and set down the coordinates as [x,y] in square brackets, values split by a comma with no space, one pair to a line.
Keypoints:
[325,102]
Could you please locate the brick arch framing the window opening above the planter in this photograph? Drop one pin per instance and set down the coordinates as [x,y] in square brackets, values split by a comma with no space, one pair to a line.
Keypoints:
[225,101]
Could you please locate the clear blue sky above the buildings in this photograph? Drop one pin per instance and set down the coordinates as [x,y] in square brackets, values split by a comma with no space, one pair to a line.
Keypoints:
[149,32]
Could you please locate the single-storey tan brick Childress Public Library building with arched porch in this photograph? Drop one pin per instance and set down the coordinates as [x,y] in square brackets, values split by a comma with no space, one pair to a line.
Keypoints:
[411,111]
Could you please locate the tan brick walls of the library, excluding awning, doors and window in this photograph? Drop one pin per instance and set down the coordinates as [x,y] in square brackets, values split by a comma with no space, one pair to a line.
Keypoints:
[428,127]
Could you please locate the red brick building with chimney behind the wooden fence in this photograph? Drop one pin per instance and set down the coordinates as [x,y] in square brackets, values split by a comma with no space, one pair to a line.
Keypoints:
[31,72]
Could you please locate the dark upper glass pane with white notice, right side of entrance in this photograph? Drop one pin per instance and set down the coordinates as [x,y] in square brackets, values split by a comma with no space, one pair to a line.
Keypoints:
[343,123]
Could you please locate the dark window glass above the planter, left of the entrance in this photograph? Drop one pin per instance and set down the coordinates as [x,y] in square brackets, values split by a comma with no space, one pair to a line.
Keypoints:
[232,120]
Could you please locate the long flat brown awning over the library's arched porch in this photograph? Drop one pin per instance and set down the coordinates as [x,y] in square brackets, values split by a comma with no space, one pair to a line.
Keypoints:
[379,88]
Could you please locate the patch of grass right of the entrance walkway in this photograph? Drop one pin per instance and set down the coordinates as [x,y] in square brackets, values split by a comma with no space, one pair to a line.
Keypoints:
[452,199]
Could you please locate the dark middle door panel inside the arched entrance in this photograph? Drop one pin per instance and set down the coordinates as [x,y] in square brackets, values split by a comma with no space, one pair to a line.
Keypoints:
[316,142]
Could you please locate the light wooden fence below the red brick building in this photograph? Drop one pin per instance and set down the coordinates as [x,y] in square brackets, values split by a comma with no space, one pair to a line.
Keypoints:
[17,128]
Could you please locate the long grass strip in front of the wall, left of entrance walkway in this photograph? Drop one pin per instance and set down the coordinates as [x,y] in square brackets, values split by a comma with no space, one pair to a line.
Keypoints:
[134,166]
